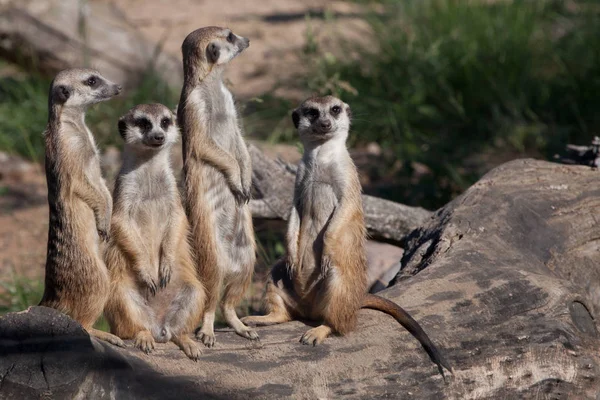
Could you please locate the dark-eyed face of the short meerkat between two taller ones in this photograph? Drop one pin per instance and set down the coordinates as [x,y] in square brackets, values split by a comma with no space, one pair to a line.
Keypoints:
[148,127]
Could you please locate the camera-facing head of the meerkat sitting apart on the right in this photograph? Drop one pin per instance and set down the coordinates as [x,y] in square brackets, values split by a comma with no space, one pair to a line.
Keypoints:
[320,119]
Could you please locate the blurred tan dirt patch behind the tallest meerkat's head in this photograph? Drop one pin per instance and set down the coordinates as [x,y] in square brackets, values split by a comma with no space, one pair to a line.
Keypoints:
[277,30]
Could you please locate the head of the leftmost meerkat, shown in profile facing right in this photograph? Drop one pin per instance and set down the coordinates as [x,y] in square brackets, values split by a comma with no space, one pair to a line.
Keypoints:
[81,87]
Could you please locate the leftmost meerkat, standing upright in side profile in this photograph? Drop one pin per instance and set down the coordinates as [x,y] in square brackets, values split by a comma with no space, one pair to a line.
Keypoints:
[76,278]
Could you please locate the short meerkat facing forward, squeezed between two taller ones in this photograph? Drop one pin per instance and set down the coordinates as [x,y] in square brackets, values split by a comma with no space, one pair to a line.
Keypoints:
[155,292]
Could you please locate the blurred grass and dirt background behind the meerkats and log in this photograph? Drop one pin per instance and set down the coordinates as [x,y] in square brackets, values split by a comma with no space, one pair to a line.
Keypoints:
[441,92]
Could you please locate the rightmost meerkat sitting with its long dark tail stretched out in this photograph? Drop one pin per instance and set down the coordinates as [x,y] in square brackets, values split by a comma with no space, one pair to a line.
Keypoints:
[323,276]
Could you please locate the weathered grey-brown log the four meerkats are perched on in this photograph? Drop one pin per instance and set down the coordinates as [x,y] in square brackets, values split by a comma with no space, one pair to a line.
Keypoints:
[505,279]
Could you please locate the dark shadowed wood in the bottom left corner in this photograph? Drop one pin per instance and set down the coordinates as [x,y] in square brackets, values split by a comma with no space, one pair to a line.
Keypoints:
[45,354]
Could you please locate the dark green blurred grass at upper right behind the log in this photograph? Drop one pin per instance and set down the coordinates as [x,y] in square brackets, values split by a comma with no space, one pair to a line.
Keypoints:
[454,85]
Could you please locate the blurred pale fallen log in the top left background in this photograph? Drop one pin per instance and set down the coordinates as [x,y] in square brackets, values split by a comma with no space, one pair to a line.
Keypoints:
[58,34]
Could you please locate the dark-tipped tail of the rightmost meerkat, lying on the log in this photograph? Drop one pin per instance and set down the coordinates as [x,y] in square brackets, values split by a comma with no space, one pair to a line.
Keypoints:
[384,305]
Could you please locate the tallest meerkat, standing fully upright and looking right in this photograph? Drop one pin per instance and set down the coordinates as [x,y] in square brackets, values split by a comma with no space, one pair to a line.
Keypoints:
[217,177]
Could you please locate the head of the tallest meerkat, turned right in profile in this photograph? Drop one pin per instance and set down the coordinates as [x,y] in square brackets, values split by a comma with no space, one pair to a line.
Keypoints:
[211,46]
